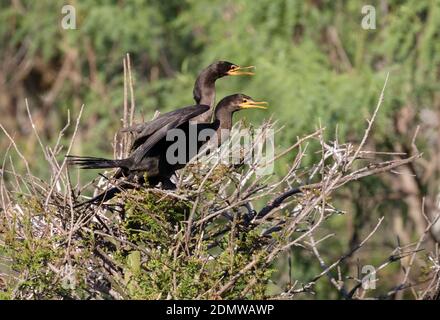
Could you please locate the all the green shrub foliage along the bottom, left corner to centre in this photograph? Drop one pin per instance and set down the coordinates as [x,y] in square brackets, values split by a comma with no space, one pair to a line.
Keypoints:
[152,259]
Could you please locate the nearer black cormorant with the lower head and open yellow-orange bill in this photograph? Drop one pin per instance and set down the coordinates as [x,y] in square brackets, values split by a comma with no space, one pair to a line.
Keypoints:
[152,157]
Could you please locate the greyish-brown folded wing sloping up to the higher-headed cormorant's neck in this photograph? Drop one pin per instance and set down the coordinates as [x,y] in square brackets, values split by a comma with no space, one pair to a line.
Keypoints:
[175,120]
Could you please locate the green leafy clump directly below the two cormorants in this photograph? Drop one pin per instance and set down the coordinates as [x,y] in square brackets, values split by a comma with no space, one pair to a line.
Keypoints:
[157,226]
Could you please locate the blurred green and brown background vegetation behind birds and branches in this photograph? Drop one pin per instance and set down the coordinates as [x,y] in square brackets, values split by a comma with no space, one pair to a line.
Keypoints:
[315,64]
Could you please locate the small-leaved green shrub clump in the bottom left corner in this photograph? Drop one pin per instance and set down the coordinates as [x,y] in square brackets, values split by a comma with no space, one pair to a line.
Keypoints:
[33,258]
